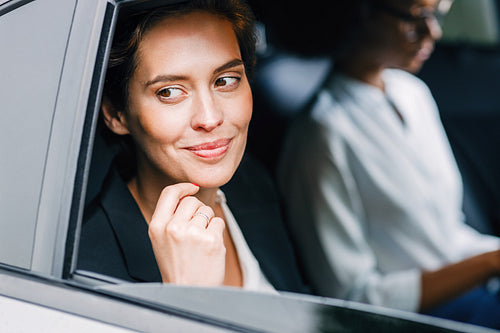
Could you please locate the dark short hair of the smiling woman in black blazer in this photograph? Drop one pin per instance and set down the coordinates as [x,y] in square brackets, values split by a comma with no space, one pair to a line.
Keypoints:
[132,27]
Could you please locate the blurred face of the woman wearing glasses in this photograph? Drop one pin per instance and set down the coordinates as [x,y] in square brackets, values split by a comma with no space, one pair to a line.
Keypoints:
[403,43]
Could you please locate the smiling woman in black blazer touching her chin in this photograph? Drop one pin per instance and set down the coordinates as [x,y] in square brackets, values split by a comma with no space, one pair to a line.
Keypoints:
[177,86]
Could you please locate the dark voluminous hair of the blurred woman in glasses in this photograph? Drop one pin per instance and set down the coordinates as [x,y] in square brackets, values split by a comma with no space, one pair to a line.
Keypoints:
[320,28]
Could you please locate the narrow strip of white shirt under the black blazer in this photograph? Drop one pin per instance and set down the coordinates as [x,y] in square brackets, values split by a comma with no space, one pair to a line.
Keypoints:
[253,278]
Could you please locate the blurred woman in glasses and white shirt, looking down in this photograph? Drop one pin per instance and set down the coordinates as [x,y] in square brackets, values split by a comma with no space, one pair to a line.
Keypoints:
[372,167]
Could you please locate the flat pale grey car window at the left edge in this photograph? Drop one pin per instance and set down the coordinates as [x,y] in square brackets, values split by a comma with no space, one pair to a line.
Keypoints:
[33,47]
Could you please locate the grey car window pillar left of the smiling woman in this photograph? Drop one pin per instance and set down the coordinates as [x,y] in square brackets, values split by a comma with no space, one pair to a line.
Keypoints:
[50,255]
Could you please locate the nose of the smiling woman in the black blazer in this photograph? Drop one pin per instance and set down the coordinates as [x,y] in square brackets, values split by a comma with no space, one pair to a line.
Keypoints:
[206,113]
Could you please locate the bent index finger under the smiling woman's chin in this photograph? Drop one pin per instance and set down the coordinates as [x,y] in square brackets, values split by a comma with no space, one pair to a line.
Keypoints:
[170,199]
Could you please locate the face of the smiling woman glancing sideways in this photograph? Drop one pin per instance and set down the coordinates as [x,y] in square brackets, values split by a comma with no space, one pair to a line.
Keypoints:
[190,102]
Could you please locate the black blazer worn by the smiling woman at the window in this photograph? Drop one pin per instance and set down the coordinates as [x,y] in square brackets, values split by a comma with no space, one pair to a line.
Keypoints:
[114,239]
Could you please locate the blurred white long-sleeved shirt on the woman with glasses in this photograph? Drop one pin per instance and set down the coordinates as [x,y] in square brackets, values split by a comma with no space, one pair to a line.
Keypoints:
[373,202]
